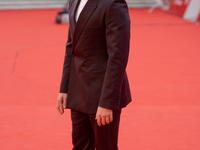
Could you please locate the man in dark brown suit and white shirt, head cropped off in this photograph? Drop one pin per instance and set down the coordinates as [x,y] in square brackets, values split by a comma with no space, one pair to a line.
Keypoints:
[94,82]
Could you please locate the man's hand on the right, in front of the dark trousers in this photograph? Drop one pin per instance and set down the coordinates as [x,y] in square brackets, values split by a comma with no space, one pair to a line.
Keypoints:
[104,116]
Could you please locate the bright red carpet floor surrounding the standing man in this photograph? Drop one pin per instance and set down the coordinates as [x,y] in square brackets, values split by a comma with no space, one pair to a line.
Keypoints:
[163,69]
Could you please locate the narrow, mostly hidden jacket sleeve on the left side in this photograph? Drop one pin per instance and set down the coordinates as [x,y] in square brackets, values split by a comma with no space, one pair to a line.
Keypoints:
[66,66]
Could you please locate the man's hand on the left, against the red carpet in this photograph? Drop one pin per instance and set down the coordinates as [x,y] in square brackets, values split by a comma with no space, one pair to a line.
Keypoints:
[61,102]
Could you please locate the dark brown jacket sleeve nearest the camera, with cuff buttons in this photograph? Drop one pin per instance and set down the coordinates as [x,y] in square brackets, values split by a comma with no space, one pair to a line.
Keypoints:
[117,23]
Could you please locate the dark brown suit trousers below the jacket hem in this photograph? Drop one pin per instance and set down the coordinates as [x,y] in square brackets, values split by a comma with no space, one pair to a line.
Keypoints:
[87,135]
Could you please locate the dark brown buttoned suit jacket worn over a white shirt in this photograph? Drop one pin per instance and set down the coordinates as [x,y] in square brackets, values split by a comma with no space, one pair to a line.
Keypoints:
[96,56]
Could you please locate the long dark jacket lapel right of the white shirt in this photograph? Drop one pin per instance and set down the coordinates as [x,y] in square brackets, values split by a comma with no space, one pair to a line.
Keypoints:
[83,18]
